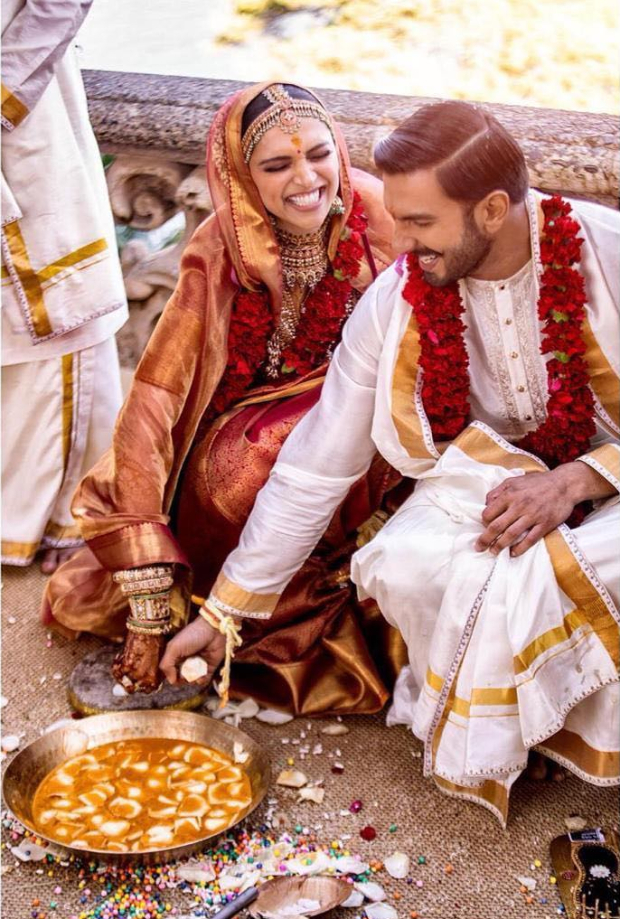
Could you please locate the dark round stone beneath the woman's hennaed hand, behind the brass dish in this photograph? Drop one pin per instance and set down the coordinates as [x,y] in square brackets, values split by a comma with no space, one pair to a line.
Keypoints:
[91,684]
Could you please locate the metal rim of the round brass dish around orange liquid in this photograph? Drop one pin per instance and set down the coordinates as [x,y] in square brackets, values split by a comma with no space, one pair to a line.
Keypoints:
[34,762]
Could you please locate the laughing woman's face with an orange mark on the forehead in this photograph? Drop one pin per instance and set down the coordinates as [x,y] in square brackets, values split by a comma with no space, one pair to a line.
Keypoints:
[297,175]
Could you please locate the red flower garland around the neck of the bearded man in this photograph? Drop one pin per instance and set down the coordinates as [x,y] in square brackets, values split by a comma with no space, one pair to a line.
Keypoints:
[566,432]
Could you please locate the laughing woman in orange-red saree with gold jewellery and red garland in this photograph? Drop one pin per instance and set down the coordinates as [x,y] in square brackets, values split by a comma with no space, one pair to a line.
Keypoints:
[236,361]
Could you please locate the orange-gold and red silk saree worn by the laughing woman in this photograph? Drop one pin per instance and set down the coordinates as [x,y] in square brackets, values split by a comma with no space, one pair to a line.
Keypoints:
[173,489]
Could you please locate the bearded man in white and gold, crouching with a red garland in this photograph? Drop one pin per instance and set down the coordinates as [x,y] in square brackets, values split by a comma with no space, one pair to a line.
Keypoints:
[484,365]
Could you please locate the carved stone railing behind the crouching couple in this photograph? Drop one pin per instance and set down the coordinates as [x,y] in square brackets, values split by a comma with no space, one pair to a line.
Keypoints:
[156,127]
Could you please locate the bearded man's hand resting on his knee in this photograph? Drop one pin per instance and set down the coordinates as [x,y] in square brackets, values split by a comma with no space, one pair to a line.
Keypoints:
[523,509]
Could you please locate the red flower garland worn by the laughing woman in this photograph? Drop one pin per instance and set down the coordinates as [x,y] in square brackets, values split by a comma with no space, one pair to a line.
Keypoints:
[324,313]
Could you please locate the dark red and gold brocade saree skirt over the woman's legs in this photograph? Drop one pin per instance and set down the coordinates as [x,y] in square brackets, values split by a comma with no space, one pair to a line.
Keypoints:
[321,651]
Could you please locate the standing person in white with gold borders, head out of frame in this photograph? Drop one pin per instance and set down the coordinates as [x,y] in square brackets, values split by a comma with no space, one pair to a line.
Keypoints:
[62,289]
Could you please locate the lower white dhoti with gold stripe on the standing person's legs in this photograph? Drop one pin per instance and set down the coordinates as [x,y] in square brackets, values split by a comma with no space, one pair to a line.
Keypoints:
[57,419]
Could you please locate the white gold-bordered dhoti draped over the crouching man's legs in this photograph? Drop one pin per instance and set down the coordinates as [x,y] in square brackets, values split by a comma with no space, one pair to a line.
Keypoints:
[500,659]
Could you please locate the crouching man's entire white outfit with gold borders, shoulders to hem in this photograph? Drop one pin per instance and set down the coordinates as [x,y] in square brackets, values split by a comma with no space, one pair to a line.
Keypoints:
[502,658]
